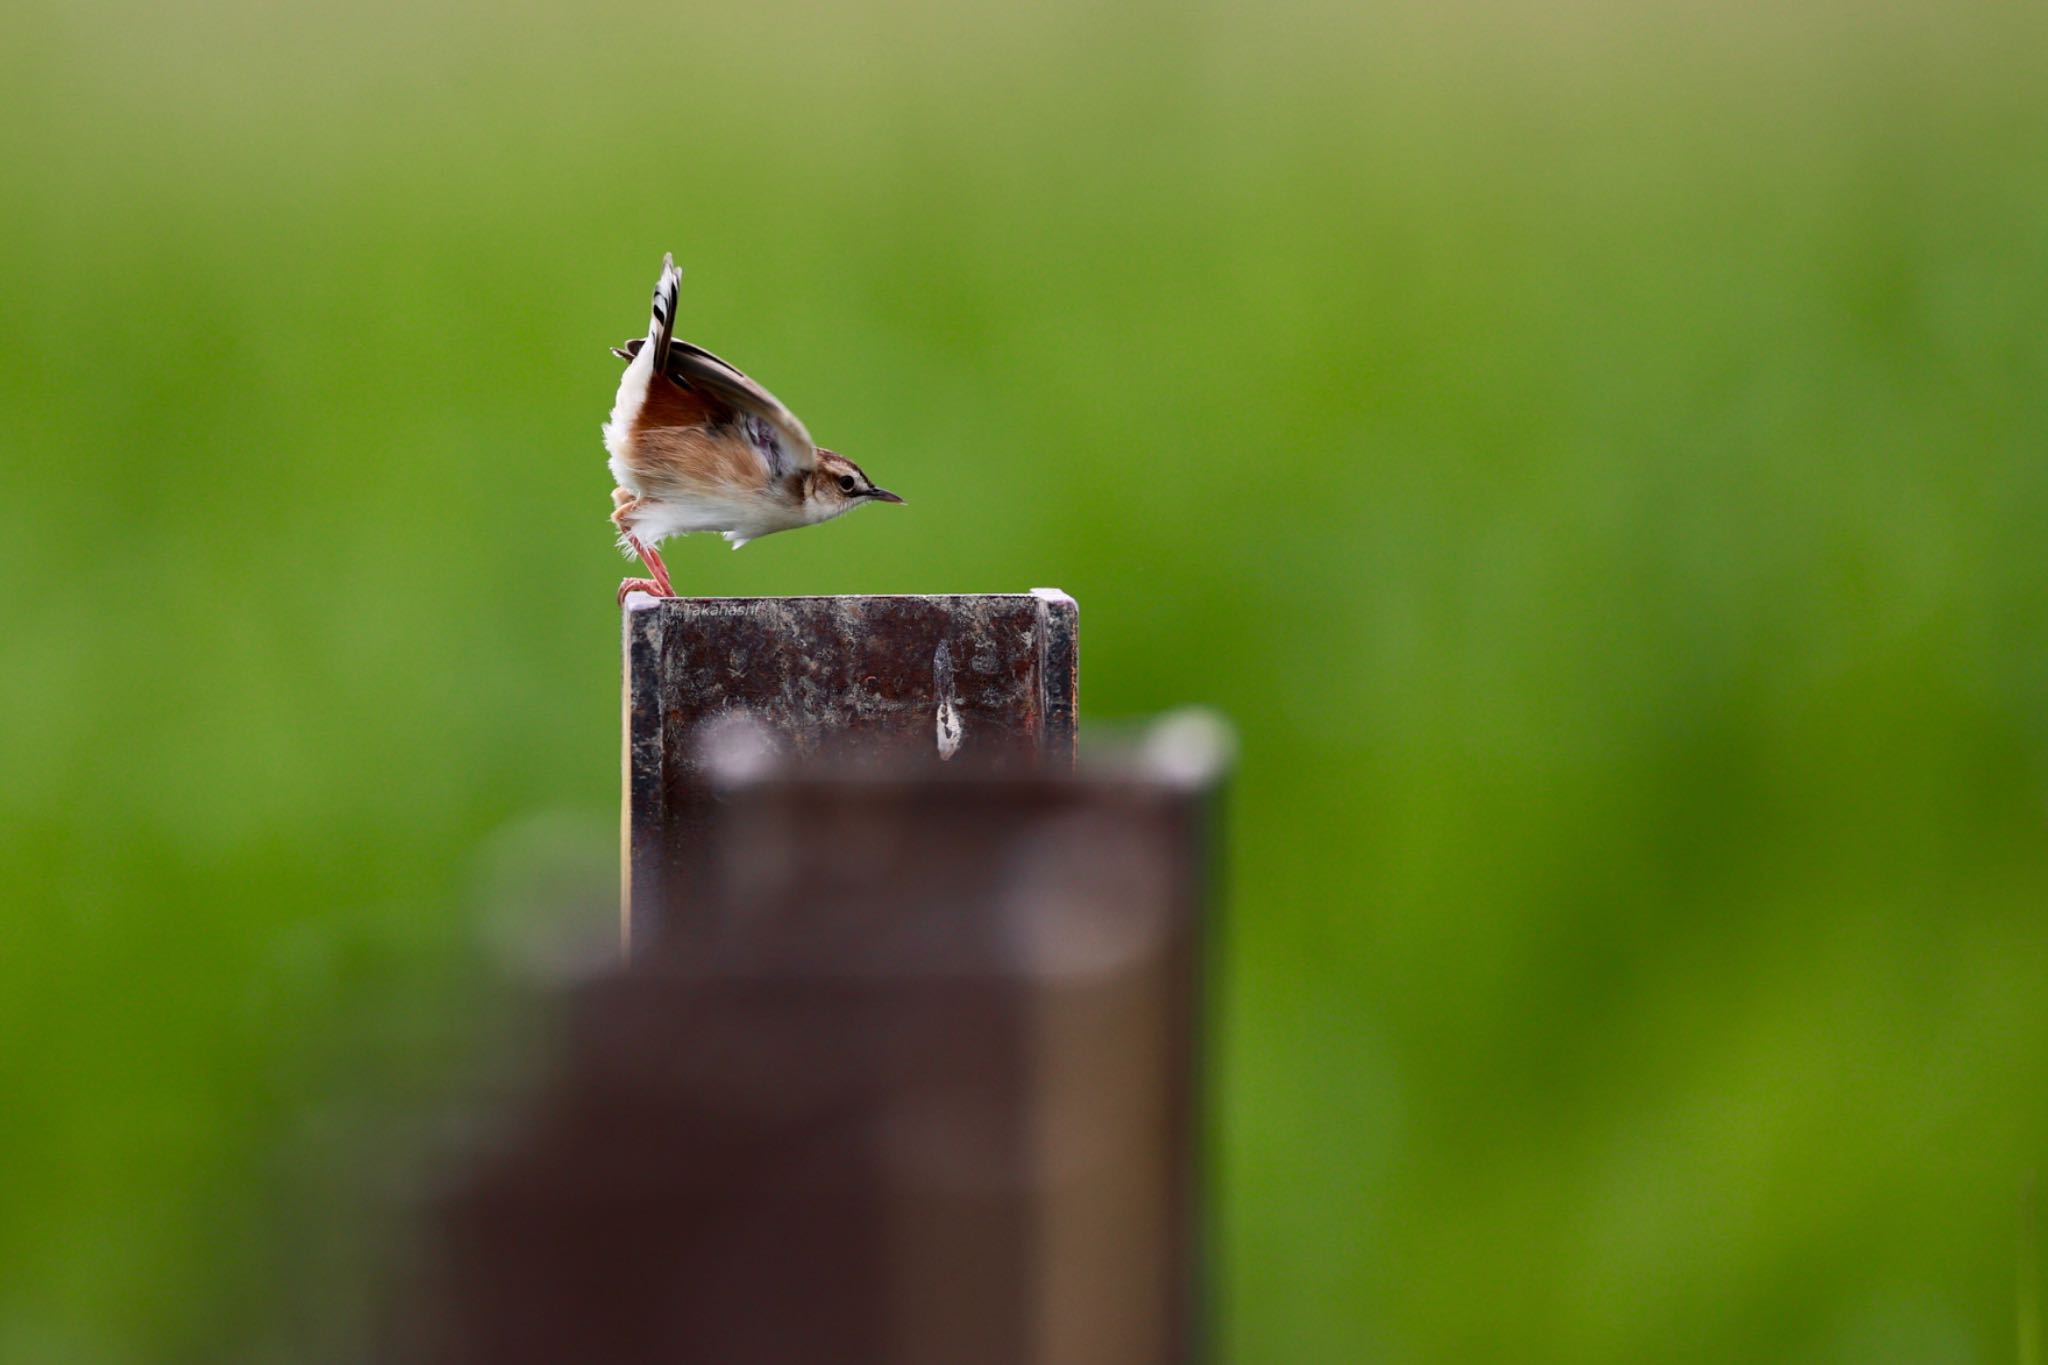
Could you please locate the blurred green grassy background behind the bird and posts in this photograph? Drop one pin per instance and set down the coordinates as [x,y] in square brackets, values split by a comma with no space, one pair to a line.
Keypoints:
[1596,453]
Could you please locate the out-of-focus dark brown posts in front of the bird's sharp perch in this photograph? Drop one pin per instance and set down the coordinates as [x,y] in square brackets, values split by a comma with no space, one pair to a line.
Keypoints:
[908,1080]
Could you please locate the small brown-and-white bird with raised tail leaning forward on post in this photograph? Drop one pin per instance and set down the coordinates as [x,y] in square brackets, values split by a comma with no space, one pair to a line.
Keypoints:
[701,447]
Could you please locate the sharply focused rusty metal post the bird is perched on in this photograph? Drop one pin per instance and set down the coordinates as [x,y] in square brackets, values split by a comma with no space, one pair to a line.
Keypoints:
[968,680]
